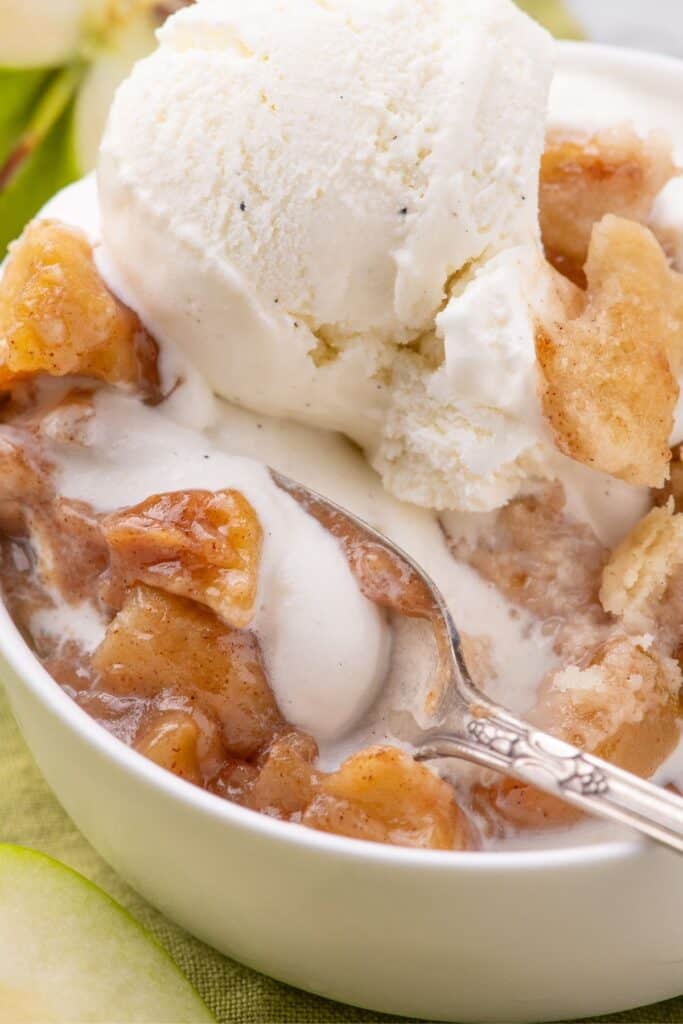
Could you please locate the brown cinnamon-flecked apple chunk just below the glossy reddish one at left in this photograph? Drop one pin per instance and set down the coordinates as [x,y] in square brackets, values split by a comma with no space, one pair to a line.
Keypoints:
[161,643]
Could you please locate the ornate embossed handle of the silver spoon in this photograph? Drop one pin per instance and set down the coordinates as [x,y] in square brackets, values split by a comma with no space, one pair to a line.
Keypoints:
[492,738]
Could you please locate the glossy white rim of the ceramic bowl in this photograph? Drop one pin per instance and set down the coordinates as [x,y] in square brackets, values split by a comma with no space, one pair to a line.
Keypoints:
[33,675]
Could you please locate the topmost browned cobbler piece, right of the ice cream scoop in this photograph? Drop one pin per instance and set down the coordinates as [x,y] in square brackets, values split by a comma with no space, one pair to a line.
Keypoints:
[584,178]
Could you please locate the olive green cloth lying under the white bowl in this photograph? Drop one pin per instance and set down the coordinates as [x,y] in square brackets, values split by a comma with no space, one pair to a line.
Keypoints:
[30,816]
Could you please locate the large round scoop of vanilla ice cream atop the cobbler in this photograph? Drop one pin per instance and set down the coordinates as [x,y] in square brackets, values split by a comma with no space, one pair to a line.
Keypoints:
[330,205]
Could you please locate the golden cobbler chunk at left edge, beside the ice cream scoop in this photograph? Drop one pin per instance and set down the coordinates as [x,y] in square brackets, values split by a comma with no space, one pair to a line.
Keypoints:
[58,318]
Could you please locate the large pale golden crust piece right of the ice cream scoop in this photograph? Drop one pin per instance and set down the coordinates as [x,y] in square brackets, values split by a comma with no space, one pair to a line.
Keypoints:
[609,383]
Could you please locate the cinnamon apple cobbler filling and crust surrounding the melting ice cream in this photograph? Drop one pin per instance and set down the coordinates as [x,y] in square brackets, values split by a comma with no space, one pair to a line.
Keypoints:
[180,674]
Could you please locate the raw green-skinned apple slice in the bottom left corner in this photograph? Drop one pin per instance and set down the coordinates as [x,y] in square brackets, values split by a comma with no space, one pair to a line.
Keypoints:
[69,954]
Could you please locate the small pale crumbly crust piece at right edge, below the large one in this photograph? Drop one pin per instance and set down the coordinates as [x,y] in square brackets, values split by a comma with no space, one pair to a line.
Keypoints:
[639,571]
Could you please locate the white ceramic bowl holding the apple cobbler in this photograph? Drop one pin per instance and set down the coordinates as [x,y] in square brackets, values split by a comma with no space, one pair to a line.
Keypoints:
[513,936]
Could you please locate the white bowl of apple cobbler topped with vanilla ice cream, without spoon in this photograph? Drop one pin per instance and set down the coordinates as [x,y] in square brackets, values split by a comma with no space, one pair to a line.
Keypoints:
[205,619]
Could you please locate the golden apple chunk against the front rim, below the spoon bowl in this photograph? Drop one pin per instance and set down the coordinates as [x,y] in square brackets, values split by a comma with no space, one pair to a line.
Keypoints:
[385,796]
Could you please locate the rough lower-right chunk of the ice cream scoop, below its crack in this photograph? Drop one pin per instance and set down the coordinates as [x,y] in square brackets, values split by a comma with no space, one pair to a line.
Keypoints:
[478,398]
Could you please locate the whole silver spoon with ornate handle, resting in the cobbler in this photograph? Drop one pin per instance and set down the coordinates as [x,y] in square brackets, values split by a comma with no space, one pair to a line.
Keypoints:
[478,730]
